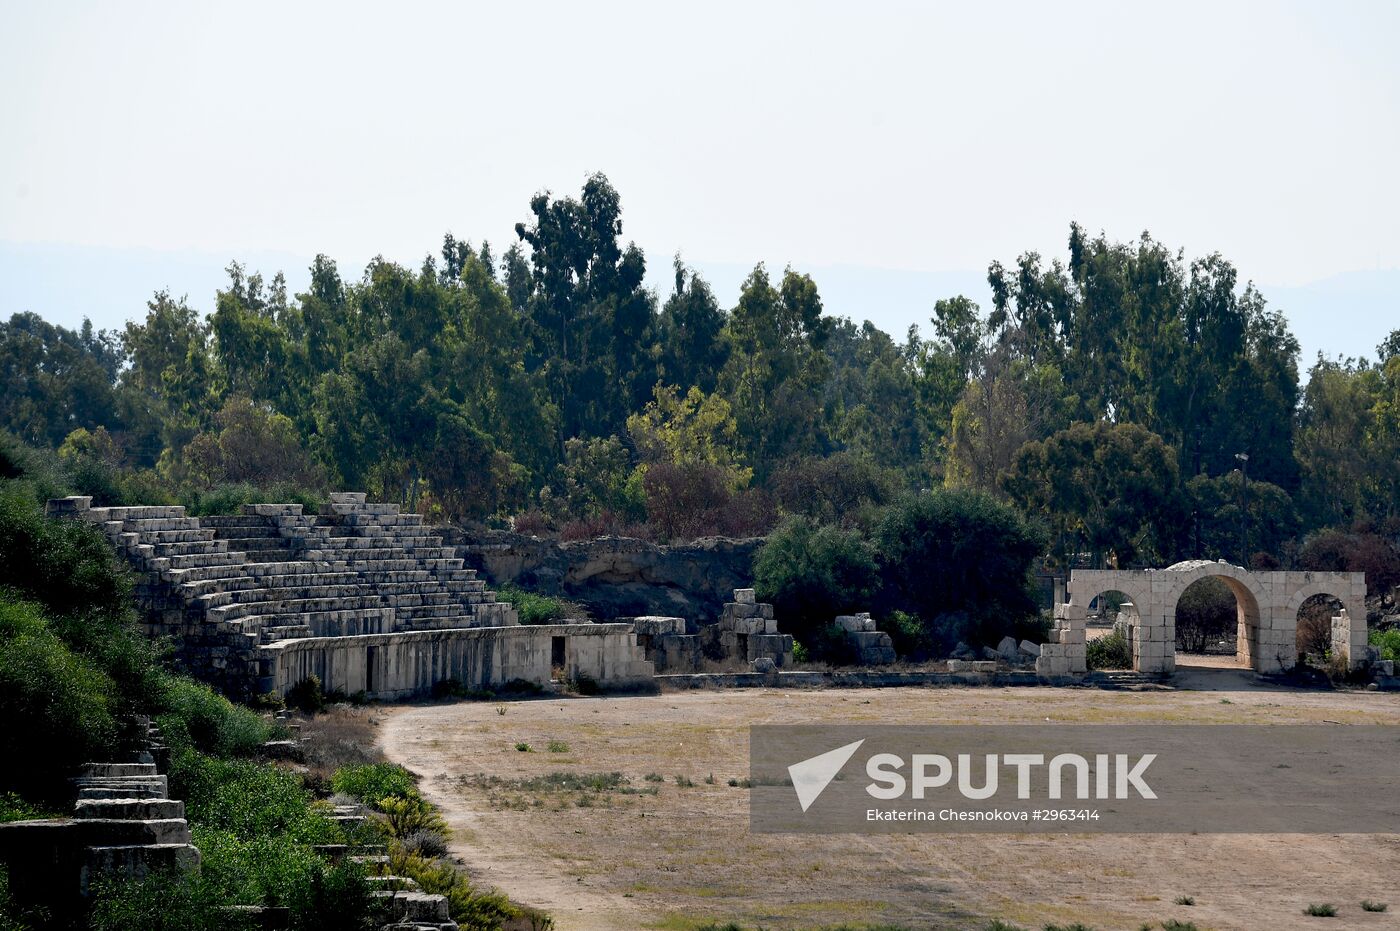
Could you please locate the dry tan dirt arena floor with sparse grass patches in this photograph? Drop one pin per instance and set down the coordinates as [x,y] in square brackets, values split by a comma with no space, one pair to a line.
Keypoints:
[660,855]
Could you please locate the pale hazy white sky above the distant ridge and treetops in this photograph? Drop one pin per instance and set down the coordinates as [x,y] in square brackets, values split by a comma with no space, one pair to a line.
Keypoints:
[920,138]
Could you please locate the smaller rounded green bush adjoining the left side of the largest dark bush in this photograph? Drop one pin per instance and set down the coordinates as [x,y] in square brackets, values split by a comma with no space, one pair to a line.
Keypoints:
[811,575]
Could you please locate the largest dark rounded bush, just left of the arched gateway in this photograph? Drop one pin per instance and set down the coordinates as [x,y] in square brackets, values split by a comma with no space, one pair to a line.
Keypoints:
[958,559]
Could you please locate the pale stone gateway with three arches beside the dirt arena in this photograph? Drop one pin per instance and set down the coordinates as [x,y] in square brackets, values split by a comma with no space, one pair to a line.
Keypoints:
[1268,608]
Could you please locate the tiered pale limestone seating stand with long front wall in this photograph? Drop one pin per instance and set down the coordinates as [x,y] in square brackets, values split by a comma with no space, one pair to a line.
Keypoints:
[360,596]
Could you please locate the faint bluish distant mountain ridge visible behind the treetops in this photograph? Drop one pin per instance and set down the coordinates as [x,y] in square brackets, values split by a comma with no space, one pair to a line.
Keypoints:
[1346,314]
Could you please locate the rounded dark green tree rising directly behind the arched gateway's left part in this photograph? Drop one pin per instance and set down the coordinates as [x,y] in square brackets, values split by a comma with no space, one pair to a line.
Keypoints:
[1111,491]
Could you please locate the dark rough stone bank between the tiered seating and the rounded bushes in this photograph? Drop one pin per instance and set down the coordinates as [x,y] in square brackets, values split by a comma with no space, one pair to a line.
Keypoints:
[615,577]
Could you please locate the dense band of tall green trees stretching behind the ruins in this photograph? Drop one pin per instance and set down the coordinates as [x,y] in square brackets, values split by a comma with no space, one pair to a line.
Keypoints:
[1111,394]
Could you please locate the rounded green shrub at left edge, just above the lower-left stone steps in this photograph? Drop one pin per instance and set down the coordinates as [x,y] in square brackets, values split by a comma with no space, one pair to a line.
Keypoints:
[59,705]
